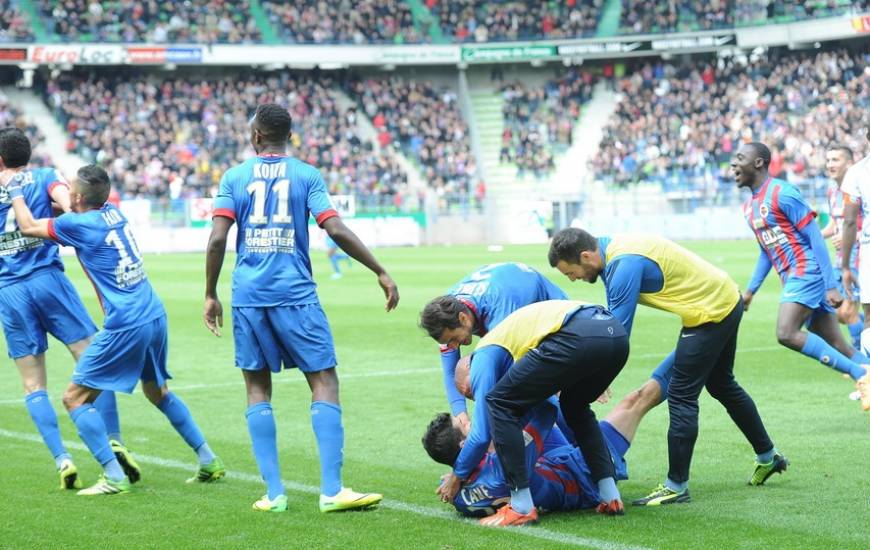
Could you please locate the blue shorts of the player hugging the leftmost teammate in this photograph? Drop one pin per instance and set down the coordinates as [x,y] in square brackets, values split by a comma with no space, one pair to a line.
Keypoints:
[118,359]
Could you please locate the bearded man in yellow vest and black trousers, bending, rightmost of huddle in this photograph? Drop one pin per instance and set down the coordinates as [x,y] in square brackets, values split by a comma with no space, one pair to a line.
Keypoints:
[651,270]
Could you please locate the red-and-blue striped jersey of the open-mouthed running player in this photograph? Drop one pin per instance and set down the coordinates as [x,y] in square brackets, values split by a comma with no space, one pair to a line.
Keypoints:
[777,213]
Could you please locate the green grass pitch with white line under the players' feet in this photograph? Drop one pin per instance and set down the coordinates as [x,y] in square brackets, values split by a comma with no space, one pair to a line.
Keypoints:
[391,387]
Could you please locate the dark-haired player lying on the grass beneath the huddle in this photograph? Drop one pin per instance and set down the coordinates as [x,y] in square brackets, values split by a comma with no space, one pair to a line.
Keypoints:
[559,476]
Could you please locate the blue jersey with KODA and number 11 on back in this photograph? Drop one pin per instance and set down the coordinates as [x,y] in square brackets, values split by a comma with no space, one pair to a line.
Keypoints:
[270,198]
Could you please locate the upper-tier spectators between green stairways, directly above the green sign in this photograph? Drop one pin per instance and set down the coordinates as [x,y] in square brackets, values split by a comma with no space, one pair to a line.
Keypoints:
[487,20]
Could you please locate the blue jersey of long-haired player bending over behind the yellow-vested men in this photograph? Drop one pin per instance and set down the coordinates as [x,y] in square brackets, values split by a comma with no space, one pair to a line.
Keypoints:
[492,293]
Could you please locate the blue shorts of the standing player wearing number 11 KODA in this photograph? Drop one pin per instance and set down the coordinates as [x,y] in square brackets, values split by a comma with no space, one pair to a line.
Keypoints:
[295,336]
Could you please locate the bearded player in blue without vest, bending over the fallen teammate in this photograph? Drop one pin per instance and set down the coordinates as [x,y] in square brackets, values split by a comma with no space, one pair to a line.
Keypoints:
[474,306]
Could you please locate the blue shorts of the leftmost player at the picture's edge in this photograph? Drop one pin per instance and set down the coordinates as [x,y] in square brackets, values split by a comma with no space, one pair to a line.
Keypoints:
[45,303]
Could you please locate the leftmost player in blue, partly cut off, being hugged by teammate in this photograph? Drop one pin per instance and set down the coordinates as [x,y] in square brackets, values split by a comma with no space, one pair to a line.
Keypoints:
[37,299]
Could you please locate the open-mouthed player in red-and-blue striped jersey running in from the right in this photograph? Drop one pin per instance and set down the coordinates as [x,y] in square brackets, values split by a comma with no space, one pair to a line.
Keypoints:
[790,241]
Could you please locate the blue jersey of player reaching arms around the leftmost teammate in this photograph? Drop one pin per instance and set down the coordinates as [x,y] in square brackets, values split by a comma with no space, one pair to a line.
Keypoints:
[108,253]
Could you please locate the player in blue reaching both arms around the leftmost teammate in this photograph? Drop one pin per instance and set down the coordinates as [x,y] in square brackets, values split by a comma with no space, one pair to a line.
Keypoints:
[133,343]
